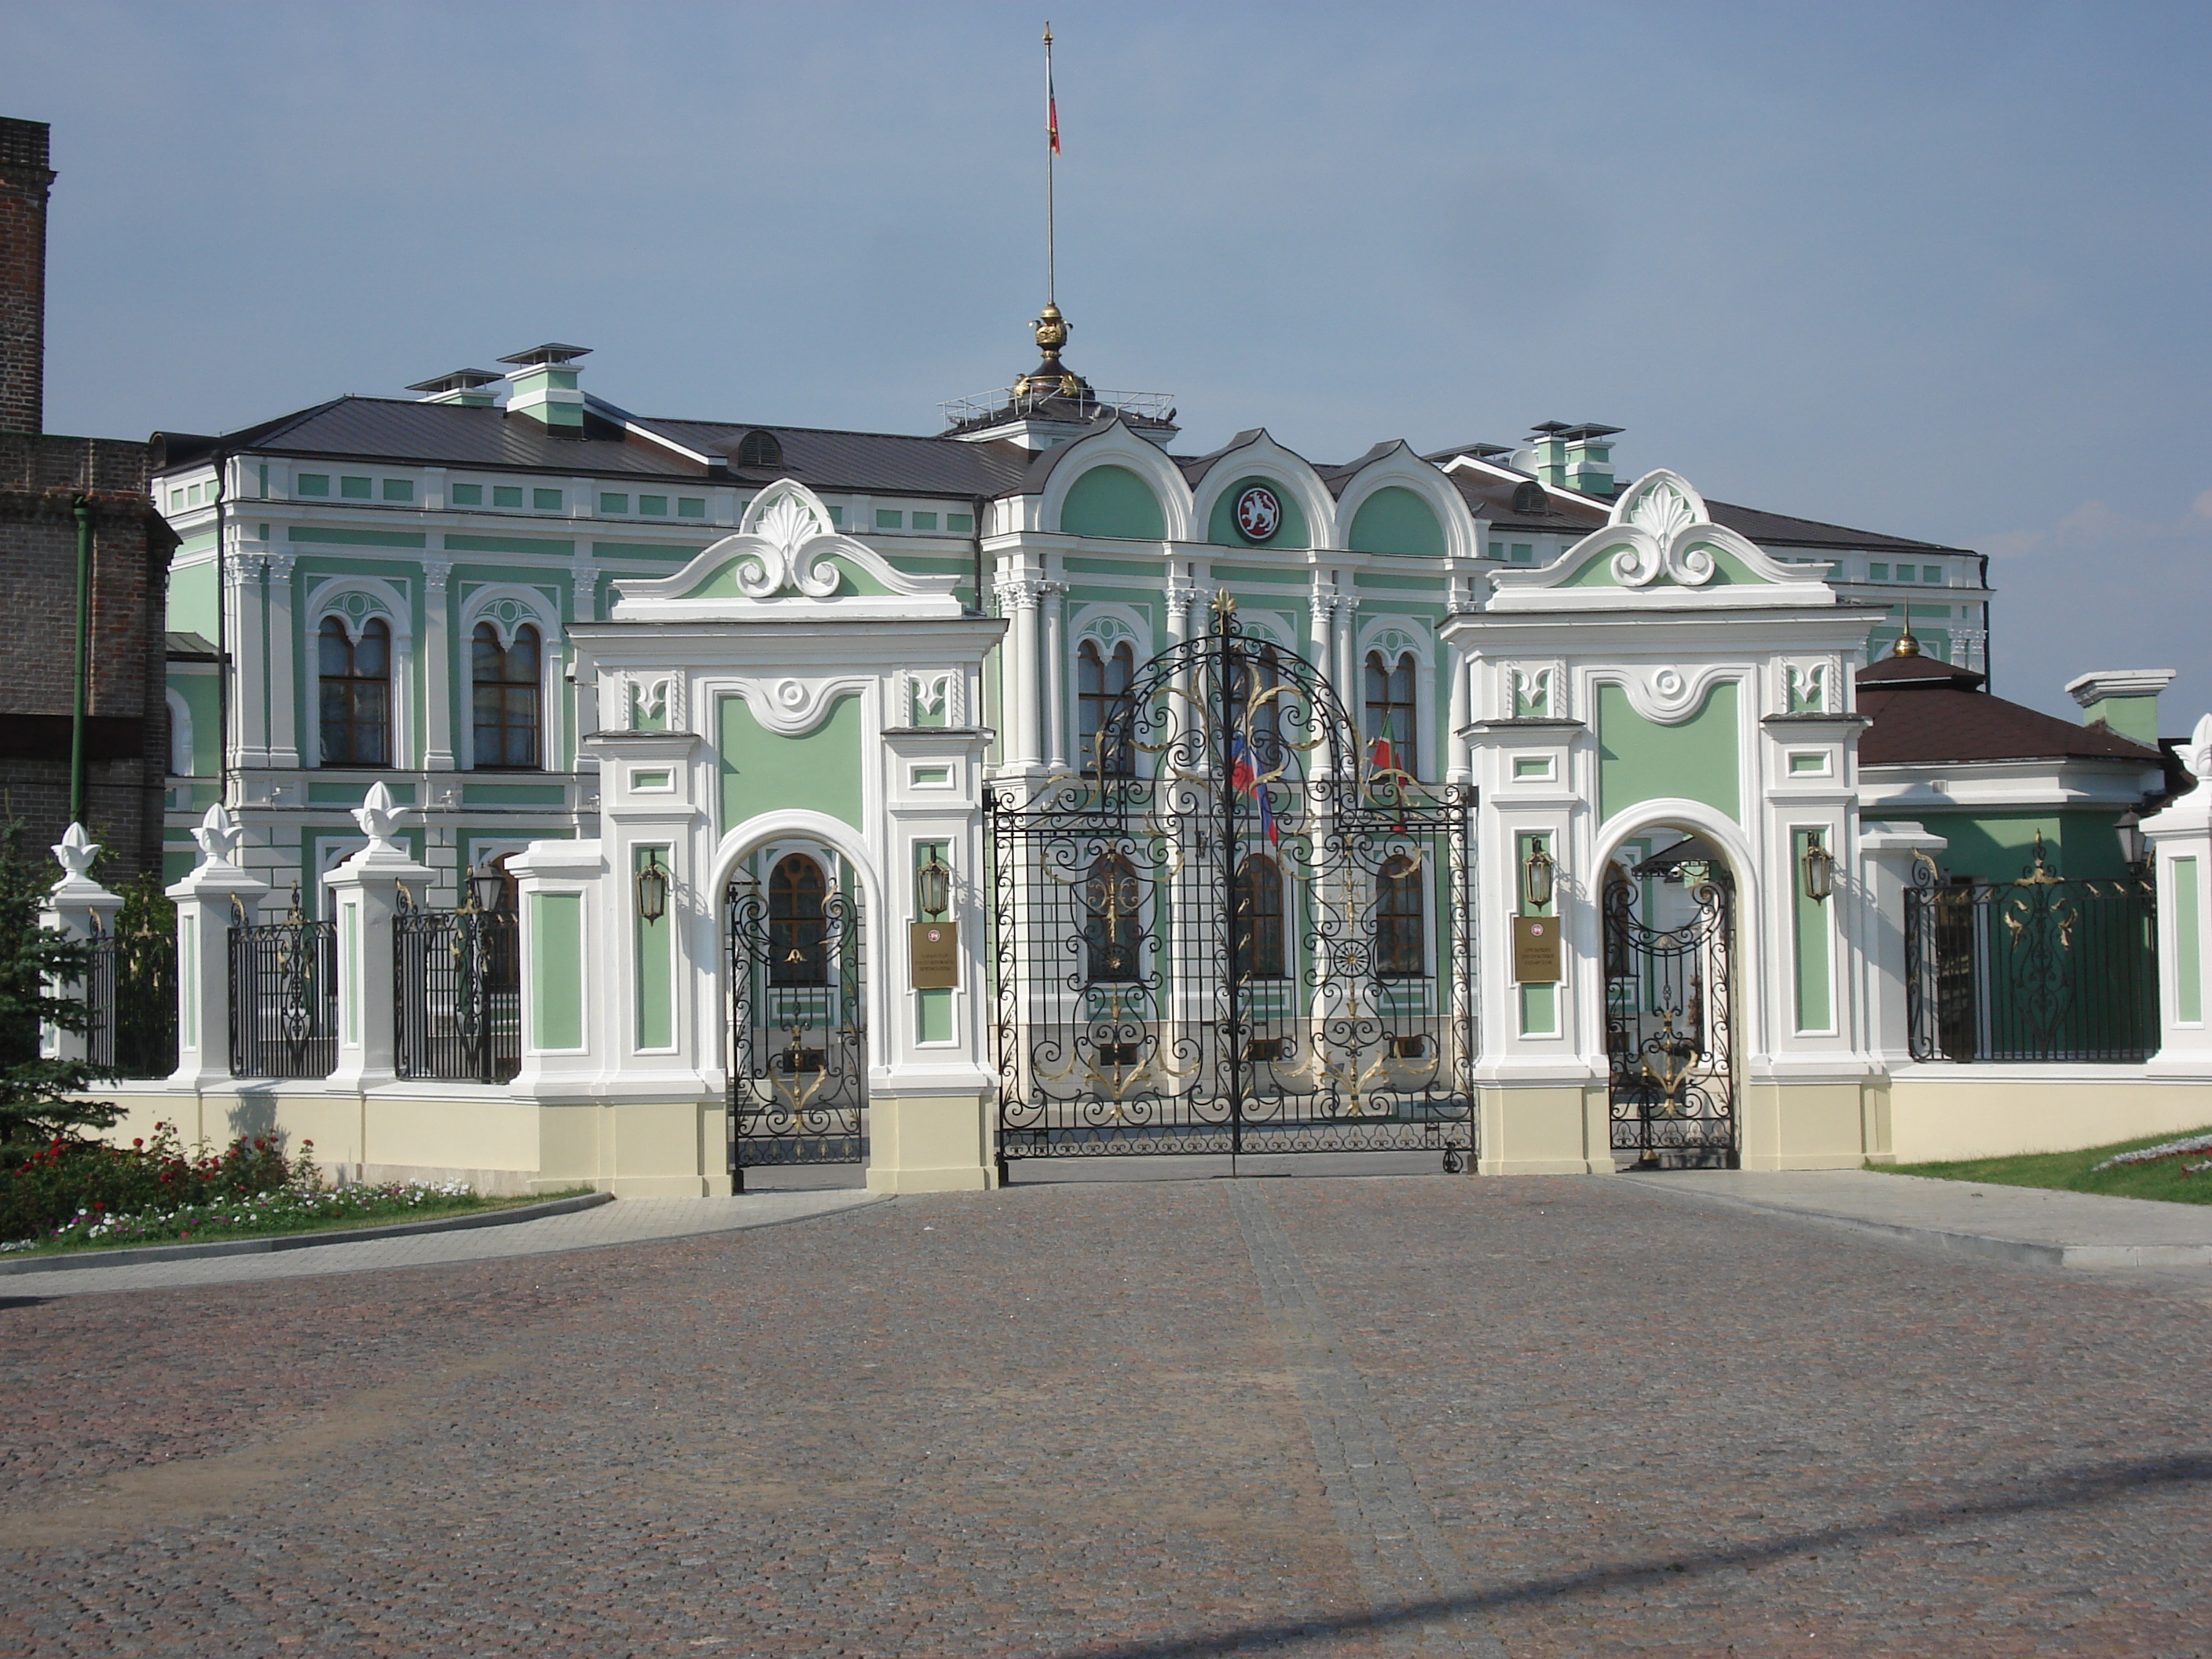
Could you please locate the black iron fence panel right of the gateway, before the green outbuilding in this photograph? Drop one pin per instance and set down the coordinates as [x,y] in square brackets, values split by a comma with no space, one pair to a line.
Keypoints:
[2032,970]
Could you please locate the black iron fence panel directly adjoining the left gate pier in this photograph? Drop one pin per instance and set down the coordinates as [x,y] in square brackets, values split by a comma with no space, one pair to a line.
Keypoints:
[457,994]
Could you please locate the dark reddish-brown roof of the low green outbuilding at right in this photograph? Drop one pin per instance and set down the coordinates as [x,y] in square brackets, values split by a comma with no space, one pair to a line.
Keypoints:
[1930,711]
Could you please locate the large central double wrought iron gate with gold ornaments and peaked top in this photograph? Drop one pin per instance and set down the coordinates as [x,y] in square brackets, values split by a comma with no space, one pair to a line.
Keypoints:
[1233,930]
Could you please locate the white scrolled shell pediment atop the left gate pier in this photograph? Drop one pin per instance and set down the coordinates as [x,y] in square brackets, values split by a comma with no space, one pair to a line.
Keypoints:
[786,559]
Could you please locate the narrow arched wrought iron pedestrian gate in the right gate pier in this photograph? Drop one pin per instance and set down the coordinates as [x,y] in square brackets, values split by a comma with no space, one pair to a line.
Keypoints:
[1669,1039]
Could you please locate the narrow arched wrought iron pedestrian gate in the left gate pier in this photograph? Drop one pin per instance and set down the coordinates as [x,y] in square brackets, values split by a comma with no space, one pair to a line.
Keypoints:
[797,1023]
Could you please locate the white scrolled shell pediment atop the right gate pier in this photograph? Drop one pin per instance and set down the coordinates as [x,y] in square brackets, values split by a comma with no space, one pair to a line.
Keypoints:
[1660,547]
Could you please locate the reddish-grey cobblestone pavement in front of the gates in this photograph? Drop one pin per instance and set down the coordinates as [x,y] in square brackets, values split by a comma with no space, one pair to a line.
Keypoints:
[1337,1417]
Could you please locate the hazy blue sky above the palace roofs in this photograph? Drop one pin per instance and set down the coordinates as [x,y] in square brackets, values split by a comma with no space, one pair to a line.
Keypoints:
[1932,271]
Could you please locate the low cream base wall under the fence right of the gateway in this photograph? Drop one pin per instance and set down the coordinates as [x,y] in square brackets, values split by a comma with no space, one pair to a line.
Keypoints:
[1974,1112]
